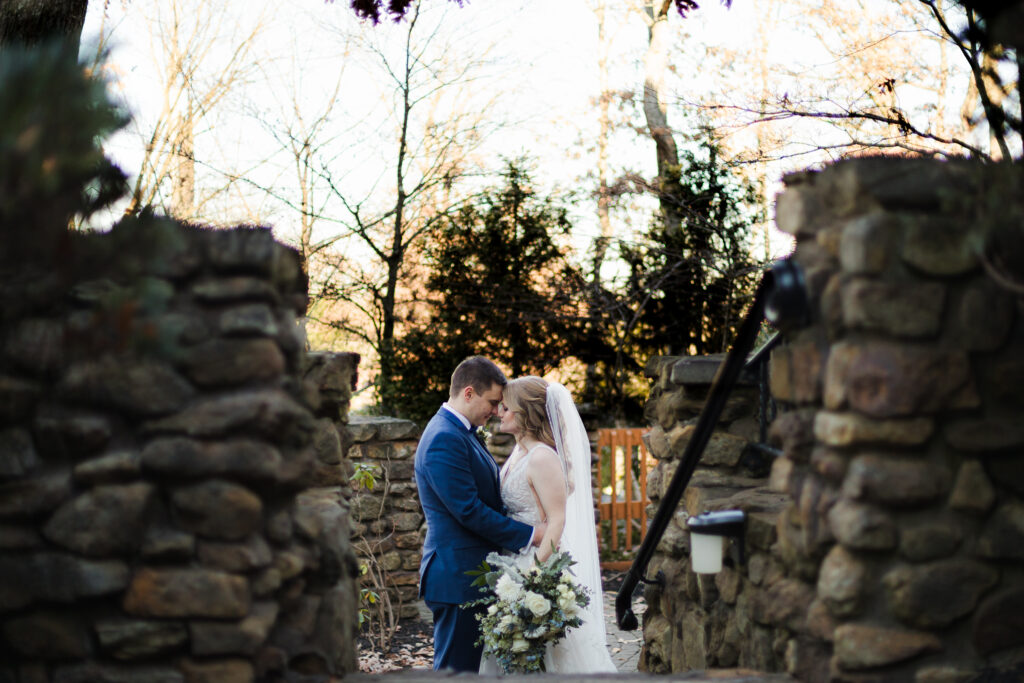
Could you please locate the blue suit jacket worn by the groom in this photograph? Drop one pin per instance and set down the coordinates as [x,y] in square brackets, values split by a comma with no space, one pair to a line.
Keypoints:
[461,498]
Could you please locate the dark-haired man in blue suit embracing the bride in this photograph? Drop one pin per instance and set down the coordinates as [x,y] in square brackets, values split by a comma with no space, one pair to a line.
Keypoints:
[461,498]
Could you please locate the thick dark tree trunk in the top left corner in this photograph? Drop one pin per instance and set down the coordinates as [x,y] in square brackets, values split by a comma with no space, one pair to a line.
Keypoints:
[32,22]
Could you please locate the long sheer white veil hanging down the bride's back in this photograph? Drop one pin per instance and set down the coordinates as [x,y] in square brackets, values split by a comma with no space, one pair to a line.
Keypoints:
[587,645]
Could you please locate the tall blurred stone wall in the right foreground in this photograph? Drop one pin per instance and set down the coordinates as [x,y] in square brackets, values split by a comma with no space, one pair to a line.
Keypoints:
[898,554]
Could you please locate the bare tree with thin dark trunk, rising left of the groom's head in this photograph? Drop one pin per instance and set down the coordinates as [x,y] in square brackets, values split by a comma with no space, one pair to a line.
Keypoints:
[366,190]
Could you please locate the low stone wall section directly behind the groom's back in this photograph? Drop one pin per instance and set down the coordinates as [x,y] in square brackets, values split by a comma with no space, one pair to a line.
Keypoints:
[388,521]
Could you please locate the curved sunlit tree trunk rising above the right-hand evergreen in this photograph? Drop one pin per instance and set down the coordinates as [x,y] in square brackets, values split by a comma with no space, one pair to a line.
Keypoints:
[656,64]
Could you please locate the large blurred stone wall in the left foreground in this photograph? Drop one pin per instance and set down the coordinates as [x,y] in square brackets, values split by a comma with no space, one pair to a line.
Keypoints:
[165,515]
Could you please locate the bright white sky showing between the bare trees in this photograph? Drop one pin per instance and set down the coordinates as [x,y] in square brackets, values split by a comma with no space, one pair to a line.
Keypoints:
[525,73]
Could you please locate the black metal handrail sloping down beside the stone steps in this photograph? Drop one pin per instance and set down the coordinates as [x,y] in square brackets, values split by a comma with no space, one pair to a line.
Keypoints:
[781,298]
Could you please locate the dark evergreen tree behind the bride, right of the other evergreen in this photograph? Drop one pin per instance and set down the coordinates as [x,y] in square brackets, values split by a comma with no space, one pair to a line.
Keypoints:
[687,288]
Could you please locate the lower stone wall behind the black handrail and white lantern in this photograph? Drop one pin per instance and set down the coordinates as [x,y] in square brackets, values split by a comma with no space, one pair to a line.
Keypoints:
[701,622]
